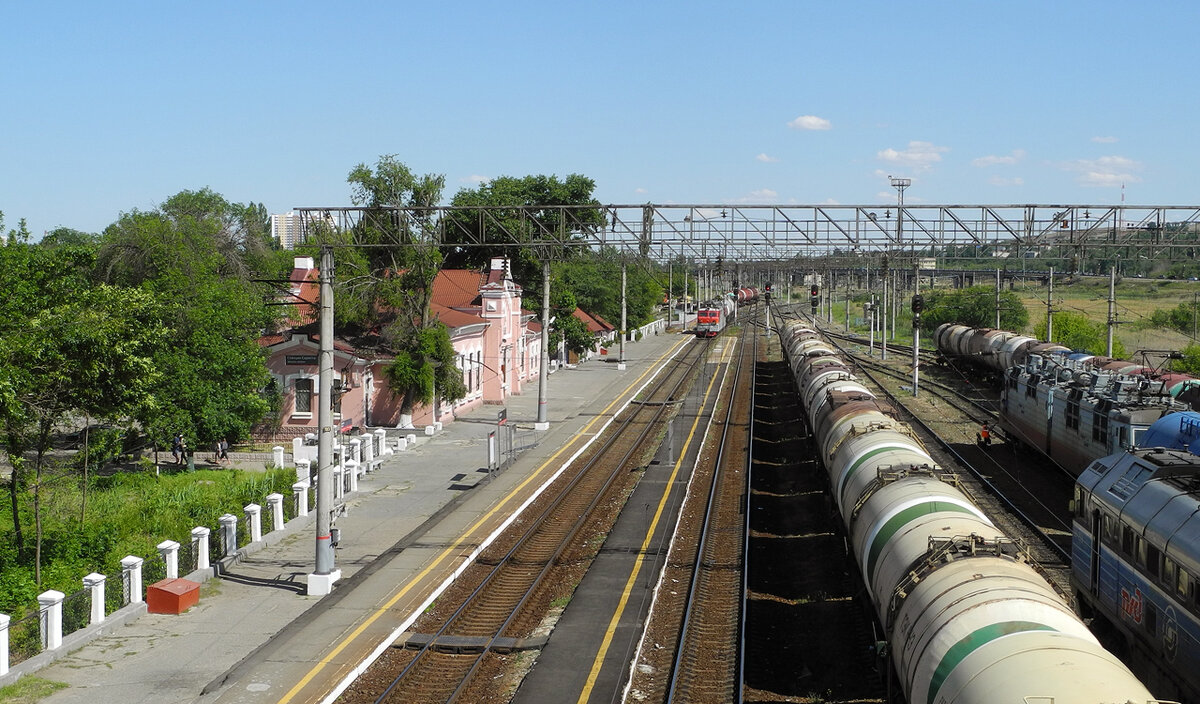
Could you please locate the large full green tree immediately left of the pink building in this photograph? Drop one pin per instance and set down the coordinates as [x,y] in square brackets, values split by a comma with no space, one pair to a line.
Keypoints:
[197,256]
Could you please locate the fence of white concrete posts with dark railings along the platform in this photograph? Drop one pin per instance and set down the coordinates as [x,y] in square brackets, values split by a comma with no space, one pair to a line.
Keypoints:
[361,456]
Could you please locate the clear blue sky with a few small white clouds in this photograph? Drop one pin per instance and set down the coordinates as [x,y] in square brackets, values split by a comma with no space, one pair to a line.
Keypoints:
[118,106]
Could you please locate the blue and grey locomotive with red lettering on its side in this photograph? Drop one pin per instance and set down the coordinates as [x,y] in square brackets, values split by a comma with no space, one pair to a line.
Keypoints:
[1136,555]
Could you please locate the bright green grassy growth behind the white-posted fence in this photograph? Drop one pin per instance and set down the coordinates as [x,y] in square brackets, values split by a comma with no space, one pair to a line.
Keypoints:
[128,514]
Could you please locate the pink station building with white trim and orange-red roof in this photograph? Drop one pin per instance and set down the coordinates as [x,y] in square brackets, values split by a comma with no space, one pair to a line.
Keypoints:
[499,351]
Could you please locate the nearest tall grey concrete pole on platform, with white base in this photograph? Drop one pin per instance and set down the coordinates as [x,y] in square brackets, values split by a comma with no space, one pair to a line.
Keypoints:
[322,581]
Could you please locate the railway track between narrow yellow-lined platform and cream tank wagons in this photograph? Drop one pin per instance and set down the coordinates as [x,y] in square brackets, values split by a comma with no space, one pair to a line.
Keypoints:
[700,604]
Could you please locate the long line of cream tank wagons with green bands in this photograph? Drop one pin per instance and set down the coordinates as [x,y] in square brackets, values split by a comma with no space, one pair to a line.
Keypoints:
[968,621]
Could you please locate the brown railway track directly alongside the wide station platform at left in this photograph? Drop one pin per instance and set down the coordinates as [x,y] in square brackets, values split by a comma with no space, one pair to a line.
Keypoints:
[467,640]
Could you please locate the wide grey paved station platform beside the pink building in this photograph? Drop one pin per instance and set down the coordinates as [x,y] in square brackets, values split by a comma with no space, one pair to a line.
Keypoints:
[256,637]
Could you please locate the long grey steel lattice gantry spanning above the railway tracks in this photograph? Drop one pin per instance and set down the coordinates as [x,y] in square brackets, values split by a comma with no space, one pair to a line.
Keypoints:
[781,233]
